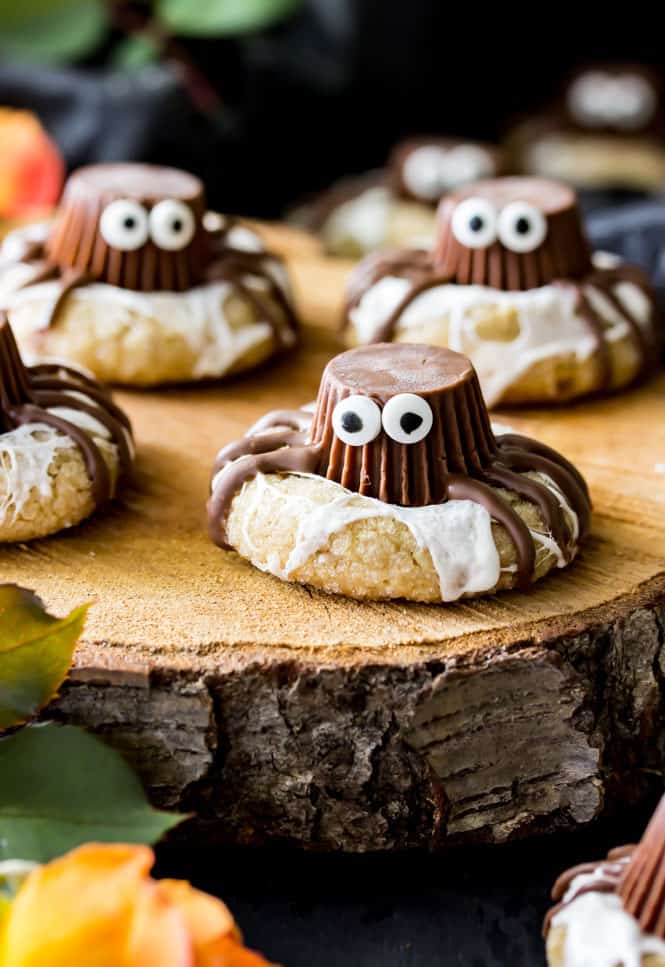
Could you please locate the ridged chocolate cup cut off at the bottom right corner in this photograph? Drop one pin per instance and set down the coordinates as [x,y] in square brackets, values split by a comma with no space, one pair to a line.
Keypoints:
[642,887]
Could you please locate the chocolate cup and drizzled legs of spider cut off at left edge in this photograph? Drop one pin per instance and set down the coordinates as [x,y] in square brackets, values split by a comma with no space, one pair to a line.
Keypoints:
[27,395]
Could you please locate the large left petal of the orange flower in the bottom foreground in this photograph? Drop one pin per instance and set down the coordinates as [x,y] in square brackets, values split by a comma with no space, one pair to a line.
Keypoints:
[83,905]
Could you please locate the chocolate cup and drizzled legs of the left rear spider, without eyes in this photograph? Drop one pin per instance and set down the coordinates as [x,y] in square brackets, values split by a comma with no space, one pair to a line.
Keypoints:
[76,253]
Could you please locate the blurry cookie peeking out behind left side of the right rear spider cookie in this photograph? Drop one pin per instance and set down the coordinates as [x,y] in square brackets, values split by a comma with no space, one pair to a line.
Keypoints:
[396,205]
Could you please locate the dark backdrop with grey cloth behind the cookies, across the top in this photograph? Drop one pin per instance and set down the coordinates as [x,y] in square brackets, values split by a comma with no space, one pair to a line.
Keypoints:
[327,92]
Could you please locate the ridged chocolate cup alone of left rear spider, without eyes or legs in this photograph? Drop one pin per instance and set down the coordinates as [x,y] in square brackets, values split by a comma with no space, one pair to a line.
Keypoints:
[76,243]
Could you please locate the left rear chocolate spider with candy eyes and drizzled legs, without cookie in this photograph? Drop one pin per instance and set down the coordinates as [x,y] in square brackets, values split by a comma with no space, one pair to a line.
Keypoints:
[143,228]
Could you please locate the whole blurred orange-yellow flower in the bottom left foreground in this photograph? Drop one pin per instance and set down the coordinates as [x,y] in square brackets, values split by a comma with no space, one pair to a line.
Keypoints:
[98,907]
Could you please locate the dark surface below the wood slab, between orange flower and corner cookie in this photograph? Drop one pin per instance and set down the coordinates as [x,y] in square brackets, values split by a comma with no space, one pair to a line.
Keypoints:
[468,908]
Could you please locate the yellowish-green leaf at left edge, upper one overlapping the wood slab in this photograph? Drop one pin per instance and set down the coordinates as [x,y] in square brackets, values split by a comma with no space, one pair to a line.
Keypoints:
[35,653]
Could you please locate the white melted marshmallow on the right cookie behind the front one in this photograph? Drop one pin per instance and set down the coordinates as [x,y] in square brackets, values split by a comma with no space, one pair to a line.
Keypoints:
[547,323]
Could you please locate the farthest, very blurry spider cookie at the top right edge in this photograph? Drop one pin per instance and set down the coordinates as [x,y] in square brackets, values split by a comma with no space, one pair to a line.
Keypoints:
[605,131]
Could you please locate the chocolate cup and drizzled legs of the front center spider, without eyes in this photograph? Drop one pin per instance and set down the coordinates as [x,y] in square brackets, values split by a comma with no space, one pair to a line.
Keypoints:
[459,459]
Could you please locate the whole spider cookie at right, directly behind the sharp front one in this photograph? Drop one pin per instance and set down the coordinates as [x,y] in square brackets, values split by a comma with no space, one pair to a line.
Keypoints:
[512,283]
